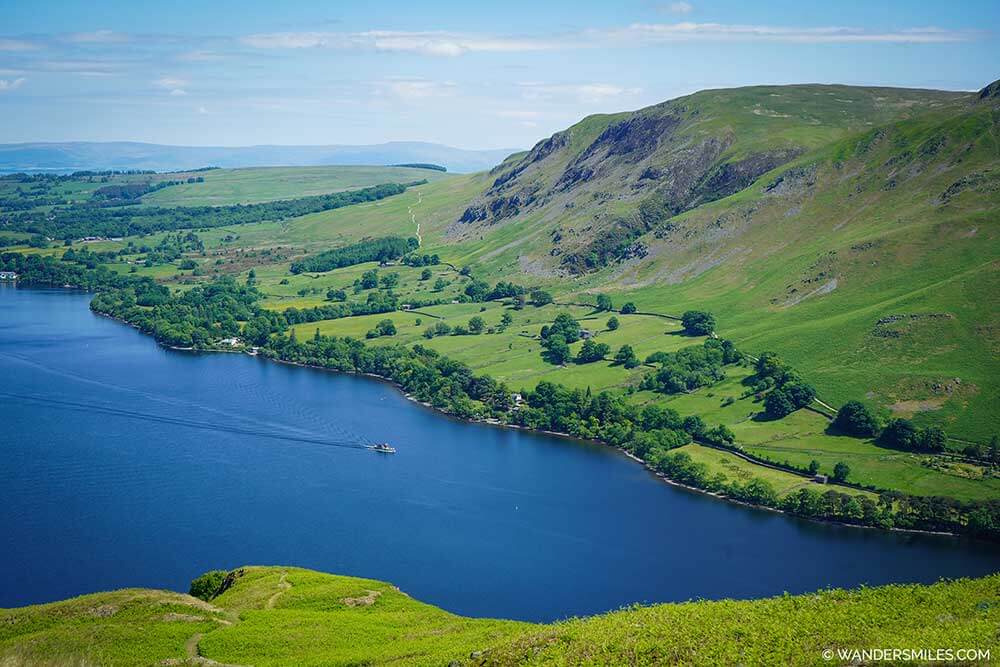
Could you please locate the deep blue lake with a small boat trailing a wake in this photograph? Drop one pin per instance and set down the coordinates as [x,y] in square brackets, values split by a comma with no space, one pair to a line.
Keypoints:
[127,464]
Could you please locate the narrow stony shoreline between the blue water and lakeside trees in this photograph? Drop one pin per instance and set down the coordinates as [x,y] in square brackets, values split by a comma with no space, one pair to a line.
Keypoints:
[495,423]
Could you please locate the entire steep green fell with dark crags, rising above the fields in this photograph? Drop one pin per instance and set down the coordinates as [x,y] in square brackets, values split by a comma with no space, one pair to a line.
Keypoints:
[851,230]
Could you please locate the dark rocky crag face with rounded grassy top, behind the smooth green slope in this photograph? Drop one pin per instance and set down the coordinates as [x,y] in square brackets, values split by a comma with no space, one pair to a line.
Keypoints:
[670,158]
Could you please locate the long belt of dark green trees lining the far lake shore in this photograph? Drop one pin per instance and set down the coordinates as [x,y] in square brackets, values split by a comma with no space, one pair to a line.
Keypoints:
[204,315]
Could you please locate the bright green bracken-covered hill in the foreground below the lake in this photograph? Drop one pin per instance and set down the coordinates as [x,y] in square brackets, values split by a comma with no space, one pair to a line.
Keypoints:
[288,616]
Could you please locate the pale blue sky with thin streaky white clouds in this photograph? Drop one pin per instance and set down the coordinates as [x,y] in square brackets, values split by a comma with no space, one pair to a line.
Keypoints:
[467,74]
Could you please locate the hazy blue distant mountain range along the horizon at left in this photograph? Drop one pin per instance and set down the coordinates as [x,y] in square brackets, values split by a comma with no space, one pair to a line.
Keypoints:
[73,156]
